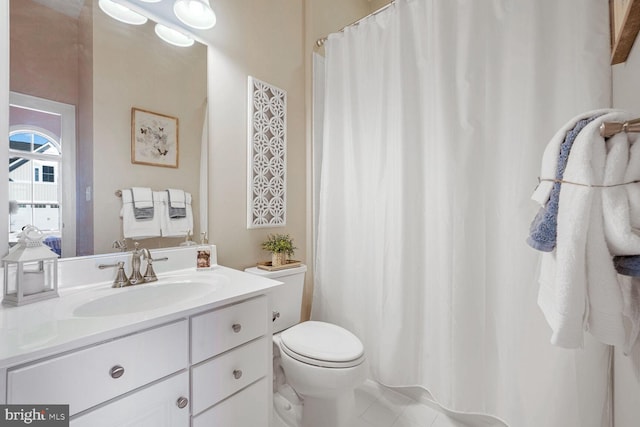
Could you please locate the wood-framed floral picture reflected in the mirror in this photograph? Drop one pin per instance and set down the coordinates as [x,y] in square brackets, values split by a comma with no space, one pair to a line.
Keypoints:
[154,139]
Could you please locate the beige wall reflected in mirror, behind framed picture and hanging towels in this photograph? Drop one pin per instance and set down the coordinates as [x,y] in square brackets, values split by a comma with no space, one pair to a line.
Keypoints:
[132,67]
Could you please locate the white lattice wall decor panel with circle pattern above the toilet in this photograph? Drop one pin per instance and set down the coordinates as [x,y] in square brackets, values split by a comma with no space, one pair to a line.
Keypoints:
[267,155]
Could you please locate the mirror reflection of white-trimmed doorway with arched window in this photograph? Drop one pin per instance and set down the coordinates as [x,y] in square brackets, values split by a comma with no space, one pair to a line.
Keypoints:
[41,163]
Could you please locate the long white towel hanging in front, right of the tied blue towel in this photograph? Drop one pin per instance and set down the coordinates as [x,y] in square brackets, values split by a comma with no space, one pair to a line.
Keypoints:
[578,285]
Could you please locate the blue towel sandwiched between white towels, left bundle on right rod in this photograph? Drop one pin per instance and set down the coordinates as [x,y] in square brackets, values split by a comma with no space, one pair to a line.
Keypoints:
[543,230]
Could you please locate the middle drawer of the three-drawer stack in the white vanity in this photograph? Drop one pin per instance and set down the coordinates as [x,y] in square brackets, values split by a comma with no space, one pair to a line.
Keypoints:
[224,375]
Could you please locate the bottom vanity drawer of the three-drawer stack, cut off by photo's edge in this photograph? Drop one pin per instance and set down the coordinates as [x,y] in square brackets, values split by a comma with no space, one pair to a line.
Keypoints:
[249,408]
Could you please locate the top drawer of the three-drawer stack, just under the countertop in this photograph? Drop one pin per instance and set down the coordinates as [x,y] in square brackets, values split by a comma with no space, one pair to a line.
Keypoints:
[218,331]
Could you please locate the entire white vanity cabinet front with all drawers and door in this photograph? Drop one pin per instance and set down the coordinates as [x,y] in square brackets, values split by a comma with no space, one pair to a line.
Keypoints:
[206,368]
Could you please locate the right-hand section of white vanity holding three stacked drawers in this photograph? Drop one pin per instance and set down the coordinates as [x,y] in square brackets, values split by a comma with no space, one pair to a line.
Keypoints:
[231,352]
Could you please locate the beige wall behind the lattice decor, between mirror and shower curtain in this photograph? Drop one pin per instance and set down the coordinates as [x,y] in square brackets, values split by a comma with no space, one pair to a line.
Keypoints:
[263,39]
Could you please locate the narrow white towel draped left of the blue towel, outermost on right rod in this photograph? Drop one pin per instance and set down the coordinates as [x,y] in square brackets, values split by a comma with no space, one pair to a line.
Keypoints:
[550,156]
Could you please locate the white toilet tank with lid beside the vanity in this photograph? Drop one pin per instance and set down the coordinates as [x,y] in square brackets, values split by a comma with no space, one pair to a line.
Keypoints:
[286,299]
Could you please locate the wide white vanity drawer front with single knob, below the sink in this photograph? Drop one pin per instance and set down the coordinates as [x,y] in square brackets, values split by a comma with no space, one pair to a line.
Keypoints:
[87,377]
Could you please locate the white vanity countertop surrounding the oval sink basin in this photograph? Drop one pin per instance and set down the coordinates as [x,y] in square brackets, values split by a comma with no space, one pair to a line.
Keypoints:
[53,326]
